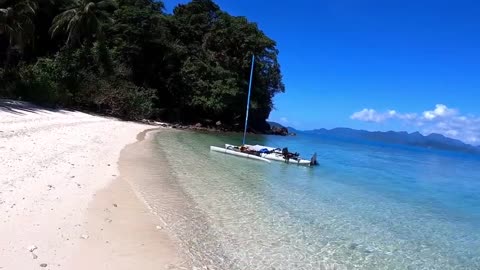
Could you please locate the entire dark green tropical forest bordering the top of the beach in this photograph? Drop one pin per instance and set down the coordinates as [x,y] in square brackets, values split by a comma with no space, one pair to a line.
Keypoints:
[129,58]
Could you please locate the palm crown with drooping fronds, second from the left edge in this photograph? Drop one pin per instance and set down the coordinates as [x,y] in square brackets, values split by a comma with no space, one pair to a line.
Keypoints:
[82,21]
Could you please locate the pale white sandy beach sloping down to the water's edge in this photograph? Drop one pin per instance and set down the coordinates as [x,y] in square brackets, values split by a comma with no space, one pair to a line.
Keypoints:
[62,201]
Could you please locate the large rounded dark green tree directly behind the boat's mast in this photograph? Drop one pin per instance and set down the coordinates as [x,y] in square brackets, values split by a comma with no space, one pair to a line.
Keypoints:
[215,68]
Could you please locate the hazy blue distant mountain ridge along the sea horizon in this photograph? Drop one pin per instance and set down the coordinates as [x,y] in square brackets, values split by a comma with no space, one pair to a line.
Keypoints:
[433,140]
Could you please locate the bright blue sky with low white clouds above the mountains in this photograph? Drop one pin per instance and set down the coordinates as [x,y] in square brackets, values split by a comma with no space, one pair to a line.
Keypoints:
[352,63]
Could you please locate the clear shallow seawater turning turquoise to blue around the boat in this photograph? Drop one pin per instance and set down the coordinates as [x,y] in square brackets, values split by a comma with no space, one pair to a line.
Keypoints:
[367,206]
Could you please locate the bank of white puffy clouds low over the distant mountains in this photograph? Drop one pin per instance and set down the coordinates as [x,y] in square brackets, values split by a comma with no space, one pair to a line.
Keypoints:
[442,119]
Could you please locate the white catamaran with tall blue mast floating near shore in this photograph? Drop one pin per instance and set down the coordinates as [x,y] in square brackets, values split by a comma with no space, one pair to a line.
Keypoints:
[260,152]
